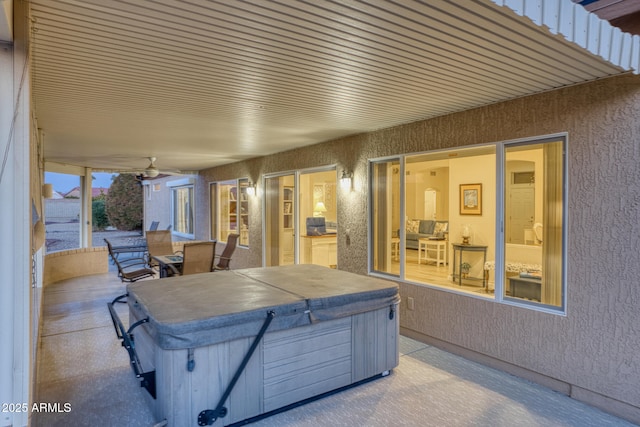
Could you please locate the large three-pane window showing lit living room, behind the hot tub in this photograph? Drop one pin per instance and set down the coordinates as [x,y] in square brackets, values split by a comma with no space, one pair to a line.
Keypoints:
[455,218]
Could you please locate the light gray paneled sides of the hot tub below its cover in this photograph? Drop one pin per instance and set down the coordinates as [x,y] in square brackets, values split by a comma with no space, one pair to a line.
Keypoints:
[288,366]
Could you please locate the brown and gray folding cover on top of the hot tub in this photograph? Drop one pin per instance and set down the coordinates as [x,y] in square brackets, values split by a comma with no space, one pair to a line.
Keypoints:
[203,309]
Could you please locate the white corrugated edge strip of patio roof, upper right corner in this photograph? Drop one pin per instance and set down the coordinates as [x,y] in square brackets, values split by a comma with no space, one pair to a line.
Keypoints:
[583,28]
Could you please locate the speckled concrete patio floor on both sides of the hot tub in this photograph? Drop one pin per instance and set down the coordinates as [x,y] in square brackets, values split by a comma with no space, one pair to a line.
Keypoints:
[81,362]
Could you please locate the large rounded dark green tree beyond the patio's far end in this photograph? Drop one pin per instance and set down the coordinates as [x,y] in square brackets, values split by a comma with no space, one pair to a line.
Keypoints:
[124,203]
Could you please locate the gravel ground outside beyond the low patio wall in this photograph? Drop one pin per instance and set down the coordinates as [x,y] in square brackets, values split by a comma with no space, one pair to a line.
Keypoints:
[66,235]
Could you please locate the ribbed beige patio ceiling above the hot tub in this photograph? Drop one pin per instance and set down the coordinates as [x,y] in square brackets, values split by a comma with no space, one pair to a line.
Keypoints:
[200,83]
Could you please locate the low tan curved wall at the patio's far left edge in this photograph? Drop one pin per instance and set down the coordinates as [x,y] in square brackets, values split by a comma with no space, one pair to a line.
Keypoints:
[74,263]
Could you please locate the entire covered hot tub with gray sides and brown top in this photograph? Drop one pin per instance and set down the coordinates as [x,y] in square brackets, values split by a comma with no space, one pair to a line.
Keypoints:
[324,329]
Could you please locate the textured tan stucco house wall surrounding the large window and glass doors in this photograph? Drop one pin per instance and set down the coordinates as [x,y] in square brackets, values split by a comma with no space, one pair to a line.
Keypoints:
[592,351]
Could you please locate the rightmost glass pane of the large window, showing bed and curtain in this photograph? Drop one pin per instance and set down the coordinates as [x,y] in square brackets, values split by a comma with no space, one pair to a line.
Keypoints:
[534,211]
